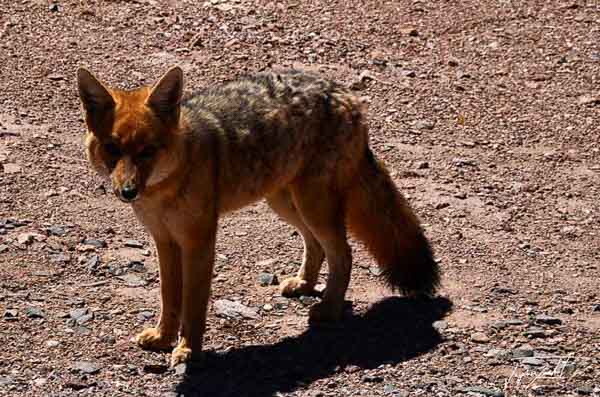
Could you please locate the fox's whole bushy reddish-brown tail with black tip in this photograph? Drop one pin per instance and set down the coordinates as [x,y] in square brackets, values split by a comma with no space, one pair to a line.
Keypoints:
[379,216]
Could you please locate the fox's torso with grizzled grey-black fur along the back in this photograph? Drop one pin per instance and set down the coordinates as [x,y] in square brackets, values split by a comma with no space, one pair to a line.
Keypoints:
[271,127]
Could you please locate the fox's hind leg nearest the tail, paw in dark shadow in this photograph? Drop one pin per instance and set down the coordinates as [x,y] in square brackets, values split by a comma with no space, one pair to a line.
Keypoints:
[321,209]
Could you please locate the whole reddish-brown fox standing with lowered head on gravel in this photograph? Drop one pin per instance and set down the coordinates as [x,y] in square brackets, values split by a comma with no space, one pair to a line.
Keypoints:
[293,138]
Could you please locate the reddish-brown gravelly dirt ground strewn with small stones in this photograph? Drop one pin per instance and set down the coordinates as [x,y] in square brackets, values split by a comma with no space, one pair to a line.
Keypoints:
[486,113]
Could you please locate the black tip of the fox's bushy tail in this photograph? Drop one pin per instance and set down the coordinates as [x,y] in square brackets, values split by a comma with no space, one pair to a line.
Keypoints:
[416,274]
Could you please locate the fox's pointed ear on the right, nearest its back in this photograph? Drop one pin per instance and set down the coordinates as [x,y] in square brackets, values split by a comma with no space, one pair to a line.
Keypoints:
[165,96]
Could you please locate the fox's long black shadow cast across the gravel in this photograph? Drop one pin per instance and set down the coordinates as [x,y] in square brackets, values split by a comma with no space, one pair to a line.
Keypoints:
[391,331]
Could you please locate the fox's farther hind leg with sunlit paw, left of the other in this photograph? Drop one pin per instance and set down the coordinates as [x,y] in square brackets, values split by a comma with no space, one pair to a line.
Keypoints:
[305,281]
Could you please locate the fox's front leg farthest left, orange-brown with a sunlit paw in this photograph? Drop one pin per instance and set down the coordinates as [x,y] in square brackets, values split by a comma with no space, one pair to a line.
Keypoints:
[164,335]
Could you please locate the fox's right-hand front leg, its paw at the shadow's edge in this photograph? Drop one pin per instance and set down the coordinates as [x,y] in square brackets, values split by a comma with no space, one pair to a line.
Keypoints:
[197,268]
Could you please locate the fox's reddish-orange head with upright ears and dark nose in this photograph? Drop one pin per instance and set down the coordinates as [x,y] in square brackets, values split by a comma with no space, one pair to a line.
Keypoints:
[130,132]
